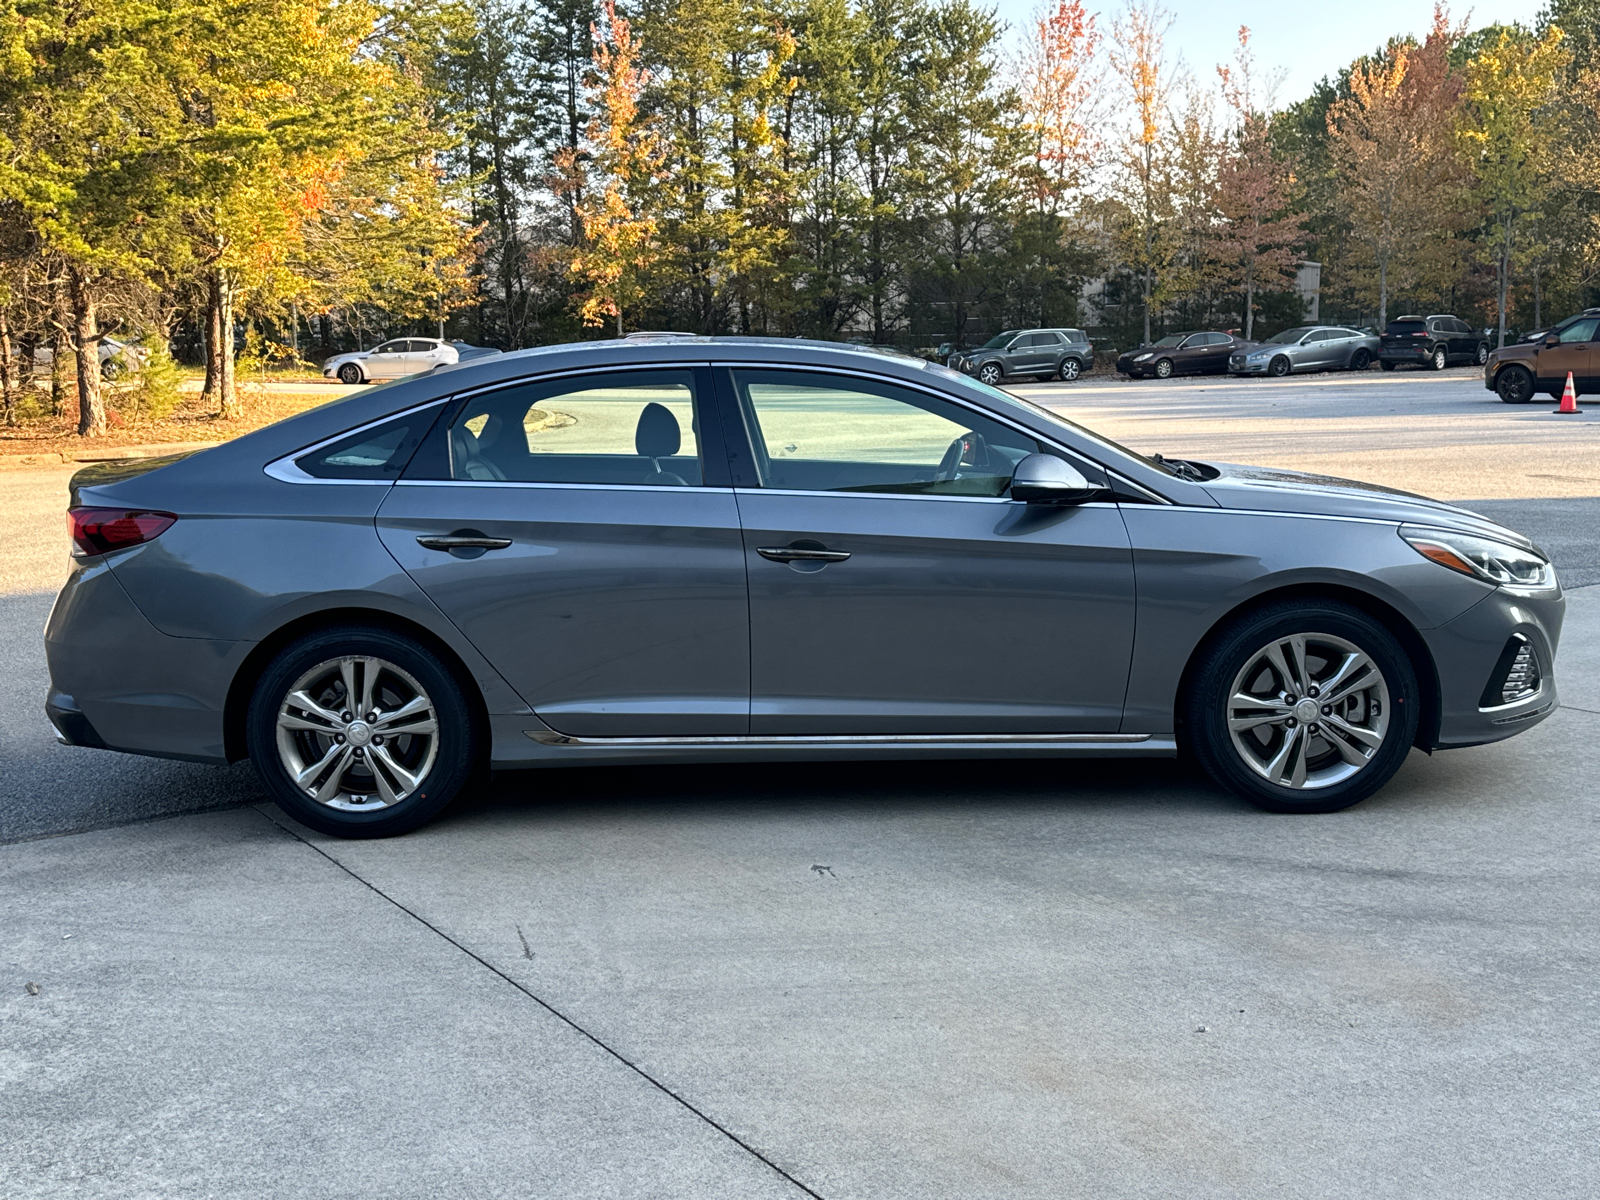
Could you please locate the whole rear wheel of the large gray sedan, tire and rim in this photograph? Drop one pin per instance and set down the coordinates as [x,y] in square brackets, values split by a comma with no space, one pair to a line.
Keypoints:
[362,732]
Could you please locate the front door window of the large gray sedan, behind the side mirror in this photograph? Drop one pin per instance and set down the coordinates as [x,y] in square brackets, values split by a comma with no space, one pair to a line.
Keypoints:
[817,433]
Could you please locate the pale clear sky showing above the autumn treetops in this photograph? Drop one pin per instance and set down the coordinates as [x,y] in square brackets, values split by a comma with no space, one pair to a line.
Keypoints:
[1306,41]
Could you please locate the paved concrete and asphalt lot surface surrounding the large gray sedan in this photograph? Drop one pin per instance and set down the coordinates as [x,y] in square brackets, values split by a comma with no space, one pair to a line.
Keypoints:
[954,980]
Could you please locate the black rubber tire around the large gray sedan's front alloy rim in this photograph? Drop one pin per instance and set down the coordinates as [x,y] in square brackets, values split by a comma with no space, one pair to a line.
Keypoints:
[1239,646]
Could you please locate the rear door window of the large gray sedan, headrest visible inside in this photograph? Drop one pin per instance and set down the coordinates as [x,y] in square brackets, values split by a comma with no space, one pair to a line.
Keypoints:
[630,428]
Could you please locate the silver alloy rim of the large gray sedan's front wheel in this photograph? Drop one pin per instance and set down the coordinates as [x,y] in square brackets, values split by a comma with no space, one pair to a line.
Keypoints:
[1308,711]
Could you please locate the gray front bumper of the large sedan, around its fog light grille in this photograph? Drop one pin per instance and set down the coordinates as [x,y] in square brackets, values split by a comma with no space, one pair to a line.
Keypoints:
[1468,655]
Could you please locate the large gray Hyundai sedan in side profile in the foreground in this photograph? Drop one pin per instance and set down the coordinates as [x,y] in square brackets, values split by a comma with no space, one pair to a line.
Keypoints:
[698,550]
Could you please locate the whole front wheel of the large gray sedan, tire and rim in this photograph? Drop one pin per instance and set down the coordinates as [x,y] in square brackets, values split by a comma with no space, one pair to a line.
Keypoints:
[1303,708]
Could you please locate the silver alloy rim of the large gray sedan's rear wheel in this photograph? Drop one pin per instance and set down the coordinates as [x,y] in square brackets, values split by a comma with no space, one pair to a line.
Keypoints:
[358,734]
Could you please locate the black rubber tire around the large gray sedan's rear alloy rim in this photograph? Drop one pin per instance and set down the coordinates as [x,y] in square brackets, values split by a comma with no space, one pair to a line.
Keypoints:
[460,742]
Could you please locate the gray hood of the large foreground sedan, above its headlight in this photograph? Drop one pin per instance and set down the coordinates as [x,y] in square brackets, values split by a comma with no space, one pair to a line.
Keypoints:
[1276,490]
